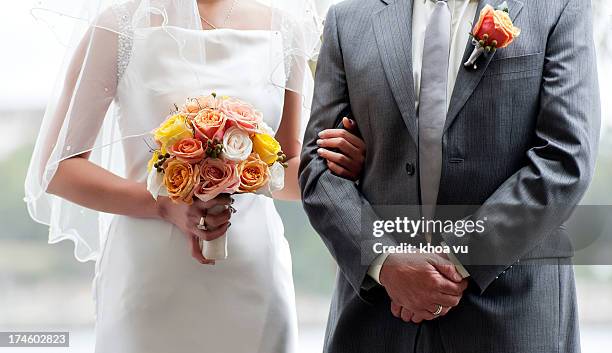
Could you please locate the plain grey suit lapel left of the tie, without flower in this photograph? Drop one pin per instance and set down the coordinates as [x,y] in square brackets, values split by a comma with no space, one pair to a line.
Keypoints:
[393,31]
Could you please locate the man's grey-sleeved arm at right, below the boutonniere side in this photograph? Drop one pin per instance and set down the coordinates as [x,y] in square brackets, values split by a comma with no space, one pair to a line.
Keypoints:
[537,199]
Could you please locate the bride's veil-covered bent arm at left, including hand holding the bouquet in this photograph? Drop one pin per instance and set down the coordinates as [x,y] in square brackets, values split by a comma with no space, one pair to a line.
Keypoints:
[88,91]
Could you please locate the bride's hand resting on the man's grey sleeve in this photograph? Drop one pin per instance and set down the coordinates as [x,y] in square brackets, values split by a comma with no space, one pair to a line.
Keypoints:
[343,150]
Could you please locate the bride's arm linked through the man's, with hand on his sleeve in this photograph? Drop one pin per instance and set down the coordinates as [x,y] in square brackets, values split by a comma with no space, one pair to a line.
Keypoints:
[344,151]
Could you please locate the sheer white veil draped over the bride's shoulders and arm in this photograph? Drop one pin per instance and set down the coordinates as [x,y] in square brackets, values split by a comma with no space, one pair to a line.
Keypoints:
[84,113]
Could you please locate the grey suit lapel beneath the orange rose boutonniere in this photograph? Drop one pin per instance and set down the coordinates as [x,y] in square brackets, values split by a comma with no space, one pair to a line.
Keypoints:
[468,79]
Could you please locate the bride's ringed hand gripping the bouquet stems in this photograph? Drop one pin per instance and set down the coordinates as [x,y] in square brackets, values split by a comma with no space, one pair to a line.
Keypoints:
[187,218]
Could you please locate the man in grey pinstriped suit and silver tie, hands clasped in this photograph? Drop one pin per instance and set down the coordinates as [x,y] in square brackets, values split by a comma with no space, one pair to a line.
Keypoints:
[509,141]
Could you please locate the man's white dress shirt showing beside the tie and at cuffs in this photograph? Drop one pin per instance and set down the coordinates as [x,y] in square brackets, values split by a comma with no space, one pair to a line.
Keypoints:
[462,16]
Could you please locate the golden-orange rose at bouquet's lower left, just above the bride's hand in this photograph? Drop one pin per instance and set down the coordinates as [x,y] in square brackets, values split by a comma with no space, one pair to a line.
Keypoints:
[180,179]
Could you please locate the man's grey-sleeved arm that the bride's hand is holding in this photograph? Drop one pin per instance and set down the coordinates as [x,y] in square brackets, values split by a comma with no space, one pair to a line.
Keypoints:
[336,208]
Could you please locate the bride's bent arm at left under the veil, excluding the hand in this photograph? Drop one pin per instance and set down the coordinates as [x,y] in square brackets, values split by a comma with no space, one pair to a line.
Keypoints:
[88,90]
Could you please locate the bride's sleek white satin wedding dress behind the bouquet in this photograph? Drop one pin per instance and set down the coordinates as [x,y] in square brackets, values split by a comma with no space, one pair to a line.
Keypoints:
[151,296]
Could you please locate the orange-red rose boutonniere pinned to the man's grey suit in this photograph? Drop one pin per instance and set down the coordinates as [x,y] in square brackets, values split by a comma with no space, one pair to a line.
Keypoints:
[493,31]
